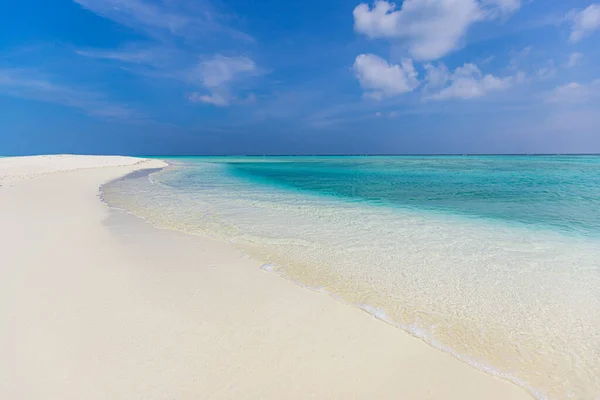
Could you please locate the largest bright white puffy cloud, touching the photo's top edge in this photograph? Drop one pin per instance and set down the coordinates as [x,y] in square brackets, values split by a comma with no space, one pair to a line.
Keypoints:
[430,28]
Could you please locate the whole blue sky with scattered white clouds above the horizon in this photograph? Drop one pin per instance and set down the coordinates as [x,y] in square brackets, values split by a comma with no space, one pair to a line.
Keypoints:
[186,77]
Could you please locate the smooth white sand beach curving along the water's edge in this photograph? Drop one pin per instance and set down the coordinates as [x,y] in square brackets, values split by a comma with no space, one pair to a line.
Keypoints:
[97,304]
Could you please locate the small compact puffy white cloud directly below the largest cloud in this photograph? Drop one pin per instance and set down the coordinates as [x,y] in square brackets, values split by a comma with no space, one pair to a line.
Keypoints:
[381,79]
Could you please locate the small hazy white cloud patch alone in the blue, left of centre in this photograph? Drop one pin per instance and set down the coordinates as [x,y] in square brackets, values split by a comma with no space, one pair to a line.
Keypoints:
[216,74]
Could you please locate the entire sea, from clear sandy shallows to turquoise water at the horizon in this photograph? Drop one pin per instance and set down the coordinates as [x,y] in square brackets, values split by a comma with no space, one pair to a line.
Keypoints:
[495,260]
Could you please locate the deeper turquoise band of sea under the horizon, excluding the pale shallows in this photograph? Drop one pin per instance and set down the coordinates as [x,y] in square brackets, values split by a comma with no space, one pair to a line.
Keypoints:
[553,192]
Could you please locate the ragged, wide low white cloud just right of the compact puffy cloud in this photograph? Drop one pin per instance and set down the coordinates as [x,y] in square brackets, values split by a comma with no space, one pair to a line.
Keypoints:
[466,82]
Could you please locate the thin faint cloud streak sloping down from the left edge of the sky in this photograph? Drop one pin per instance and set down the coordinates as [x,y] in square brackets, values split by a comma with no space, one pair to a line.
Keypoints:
[25,84]
